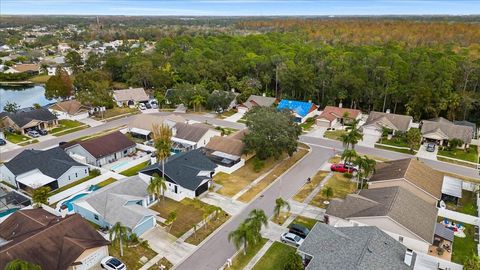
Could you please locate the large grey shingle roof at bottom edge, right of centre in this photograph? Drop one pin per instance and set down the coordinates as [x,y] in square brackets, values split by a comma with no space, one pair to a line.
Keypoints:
[356,248]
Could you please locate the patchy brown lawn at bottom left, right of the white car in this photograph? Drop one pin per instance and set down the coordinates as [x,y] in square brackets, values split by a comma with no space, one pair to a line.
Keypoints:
[131,255]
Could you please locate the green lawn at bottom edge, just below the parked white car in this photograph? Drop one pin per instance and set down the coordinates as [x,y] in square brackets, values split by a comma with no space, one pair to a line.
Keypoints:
[275,257]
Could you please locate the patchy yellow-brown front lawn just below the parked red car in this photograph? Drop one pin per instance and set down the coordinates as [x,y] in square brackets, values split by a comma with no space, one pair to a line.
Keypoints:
[341,186]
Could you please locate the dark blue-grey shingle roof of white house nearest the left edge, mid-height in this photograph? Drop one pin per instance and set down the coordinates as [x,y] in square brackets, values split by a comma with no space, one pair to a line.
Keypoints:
[52,162]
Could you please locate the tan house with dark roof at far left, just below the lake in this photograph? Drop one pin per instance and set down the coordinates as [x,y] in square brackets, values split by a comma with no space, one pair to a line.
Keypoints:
[27,119]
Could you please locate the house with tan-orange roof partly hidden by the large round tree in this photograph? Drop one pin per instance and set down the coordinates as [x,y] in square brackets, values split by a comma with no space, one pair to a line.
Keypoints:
[226,152]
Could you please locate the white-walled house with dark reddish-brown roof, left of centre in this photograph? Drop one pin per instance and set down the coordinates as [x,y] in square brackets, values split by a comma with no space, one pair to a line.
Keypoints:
[102,150]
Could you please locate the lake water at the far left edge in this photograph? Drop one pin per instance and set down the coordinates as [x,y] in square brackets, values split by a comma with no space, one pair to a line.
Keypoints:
[24,96]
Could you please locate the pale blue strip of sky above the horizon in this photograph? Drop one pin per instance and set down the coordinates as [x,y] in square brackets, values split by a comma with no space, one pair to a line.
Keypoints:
[239,7]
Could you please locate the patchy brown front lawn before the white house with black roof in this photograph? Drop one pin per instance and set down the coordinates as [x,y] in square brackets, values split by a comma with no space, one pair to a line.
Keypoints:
[189,212]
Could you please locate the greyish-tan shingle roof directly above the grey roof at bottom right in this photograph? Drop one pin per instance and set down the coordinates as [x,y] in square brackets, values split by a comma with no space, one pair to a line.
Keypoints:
[404,207]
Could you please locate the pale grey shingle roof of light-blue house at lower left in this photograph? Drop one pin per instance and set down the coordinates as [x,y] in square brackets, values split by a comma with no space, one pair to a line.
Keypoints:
[110,201]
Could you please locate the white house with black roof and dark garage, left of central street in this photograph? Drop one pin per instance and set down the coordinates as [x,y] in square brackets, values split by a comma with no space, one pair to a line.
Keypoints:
[189,174]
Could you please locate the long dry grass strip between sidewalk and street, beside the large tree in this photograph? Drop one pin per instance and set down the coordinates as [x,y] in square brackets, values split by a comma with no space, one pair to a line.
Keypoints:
[273,175]
